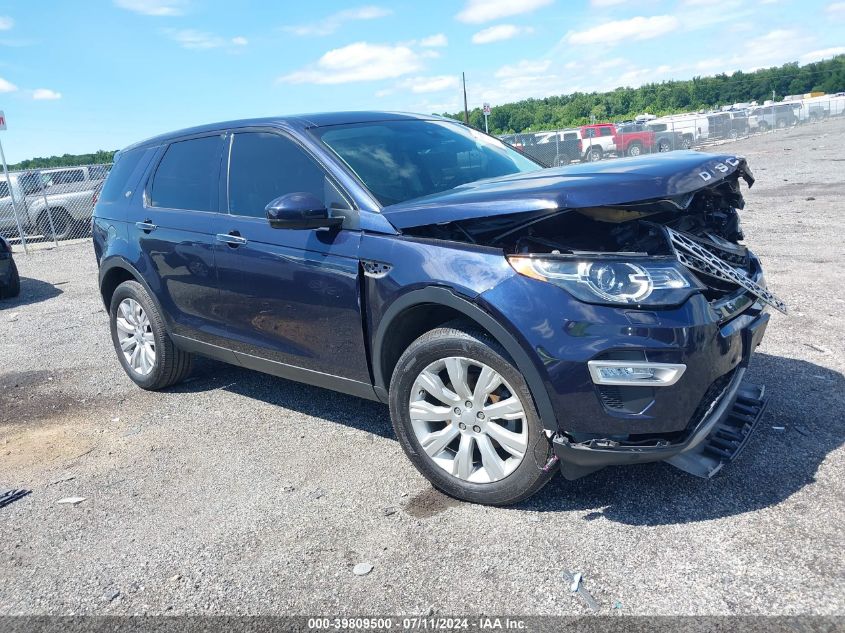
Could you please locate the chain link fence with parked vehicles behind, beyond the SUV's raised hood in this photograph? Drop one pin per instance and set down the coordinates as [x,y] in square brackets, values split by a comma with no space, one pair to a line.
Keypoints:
[649,134]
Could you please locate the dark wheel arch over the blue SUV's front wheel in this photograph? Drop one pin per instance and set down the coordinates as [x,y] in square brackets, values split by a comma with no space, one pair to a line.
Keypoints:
[420,311]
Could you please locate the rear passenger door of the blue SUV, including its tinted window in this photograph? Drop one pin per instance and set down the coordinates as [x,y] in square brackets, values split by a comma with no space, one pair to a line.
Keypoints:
[175,227]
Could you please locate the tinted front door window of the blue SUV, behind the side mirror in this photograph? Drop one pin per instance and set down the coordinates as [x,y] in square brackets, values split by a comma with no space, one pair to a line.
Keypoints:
[264,166]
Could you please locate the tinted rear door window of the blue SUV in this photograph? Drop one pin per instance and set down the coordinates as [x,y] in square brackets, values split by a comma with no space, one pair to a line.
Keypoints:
[186,178]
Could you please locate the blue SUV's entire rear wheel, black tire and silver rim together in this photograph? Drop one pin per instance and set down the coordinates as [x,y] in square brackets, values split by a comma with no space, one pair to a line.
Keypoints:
[170,365]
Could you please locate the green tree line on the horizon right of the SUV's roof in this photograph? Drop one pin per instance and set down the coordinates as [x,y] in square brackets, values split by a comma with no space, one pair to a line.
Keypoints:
[667,97]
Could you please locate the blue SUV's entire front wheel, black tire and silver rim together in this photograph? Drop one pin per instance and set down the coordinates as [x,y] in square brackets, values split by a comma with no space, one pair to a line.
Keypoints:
[471,353]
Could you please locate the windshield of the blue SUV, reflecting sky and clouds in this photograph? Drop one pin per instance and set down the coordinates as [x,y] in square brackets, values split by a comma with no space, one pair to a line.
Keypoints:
[401,160]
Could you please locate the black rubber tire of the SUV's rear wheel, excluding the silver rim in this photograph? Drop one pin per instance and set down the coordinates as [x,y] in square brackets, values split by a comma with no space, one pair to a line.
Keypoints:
[172,365]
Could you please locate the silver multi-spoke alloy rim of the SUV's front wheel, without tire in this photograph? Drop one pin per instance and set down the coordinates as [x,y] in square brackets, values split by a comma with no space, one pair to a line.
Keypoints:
[468,419]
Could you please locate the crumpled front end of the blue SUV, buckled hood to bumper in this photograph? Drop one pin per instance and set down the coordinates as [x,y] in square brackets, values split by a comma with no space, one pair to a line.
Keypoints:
[667,304]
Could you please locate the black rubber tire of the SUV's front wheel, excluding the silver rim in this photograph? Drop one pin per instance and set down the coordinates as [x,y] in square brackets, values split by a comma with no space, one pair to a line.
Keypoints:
[462,340]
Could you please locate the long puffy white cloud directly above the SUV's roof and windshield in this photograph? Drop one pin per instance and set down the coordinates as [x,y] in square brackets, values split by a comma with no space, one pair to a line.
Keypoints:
[361,61]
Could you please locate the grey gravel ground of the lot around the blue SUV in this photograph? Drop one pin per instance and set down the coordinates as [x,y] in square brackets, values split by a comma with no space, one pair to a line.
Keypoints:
[242,493]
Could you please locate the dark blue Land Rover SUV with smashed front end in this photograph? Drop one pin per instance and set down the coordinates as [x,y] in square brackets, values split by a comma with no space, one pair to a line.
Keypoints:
[517,319]
